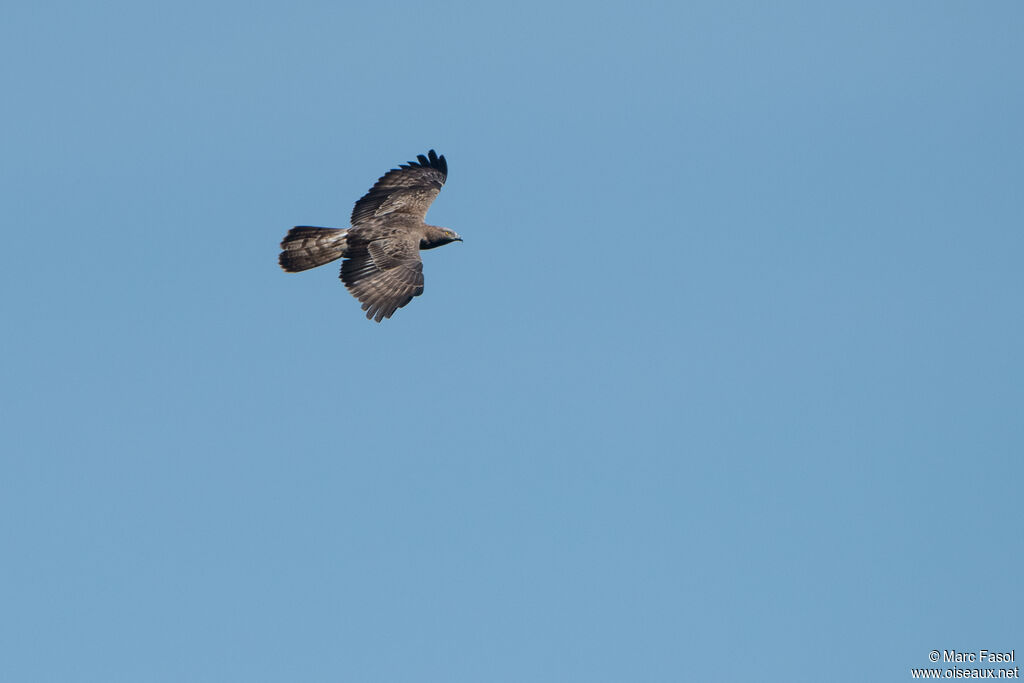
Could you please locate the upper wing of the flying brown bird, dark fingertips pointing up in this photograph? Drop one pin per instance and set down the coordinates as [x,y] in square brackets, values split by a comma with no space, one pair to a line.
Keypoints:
[408,190]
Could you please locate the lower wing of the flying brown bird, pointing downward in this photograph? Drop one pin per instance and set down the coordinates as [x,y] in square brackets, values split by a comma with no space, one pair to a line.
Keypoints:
[385,275]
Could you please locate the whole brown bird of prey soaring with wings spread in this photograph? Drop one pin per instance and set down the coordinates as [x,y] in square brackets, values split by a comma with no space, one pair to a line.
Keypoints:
[382,267]
